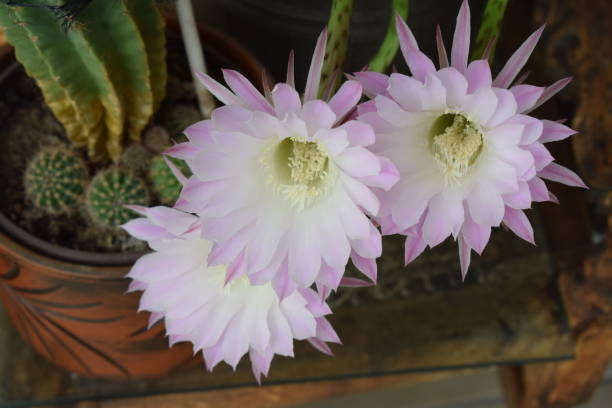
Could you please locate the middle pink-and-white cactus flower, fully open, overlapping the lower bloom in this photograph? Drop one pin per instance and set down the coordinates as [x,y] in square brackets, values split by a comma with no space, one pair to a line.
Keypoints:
[284,184]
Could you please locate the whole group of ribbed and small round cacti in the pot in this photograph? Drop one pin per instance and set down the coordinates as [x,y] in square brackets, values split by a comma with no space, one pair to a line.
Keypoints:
[101,66]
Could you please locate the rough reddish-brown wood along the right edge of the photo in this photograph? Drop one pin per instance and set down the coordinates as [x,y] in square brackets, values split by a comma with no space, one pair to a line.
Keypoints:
[578,43]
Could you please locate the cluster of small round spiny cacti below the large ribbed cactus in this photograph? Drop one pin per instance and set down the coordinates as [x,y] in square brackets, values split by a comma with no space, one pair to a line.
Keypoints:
[57,181]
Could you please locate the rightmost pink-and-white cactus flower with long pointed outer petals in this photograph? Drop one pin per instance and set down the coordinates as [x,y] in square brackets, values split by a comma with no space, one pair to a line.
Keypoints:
[469,155]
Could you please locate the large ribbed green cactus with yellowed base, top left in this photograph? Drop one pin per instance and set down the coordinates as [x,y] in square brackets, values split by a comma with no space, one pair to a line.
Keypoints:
[104,77]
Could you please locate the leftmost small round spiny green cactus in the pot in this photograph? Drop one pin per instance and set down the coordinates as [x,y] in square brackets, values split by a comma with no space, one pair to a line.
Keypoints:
[55,179]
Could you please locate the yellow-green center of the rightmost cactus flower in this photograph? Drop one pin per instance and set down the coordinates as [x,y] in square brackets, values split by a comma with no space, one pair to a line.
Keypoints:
[455,143]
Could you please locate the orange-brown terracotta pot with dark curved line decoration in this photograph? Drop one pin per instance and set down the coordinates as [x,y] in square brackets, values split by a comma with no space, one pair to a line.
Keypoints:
[70,305]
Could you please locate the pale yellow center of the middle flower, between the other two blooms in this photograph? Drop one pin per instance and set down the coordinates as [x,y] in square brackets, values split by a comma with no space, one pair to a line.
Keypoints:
[299,170]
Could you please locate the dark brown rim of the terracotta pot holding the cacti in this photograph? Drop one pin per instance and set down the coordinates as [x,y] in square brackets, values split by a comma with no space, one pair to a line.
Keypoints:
[33,249]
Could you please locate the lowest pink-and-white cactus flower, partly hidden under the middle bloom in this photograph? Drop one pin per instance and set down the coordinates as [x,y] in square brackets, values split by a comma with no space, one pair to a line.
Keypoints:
[224,318]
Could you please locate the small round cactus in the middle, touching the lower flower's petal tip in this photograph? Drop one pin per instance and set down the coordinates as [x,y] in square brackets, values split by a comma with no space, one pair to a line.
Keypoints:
[110,191]
